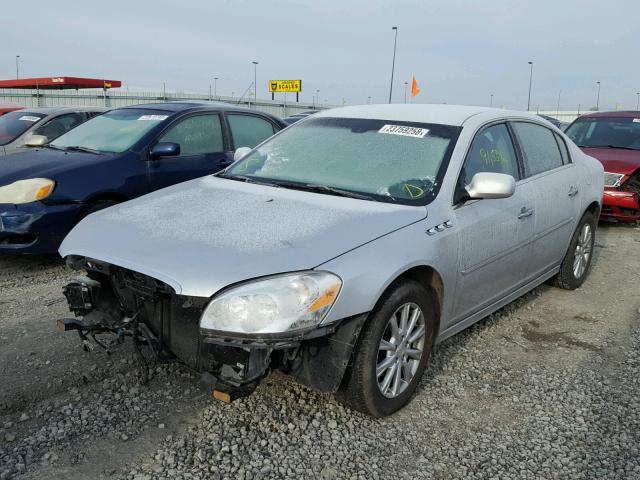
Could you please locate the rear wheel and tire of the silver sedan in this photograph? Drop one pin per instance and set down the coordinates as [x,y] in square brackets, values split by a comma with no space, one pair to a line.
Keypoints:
[577,261]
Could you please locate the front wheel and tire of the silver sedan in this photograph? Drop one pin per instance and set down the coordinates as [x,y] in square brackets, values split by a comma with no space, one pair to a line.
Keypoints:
[362,388]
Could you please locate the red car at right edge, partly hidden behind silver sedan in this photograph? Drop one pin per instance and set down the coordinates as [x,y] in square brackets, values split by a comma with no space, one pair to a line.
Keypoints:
[614,139]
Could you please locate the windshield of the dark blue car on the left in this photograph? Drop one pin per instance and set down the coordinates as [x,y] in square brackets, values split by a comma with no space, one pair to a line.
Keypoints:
[114,131]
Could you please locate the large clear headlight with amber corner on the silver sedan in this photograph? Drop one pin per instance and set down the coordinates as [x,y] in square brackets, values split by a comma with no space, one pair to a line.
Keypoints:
[274,305]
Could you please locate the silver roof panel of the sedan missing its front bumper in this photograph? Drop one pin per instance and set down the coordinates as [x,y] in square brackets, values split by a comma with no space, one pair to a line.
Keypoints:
[423,113]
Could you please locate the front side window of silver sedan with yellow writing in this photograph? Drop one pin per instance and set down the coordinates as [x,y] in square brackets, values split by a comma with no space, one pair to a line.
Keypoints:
[491,151]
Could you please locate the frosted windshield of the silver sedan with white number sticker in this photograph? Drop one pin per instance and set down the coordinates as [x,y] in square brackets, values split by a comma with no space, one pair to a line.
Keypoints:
[385,160]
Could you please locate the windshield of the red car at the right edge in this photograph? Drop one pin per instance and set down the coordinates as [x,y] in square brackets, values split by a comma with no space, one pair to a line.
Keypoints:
[606,132]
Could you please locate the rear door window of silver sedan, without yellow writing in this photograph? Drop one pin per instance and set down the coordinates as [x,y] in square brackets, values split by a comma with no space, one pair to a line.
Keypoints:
[539,146]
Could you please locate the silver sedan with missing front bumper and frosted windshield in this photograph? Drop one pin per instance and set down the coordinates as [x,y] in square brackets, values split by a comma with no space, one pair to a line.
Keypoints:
[341,250]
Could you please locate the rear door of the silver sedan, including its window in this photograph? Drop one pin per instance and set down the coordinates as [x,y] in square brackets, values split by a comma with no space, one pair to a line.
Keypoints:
[553,180]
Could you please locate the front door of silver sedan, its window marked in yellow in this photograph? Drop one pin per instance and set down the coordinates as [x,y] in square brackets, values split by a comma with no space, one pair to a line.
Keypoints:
[494,235]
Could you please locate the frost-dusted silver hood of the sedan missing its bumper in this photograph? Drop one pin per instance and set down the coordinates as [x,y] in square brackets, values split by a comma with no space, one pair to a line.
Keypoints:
[203,235]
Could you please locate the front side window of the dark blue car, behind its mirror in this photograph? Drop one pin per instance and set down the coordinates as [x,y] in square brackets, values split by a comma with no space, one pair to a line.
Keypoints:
[197,135]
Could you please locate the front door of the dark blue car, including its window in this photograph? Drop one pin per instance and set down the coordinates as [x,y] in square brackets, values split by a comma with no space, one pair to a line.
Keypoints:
[202,151]
